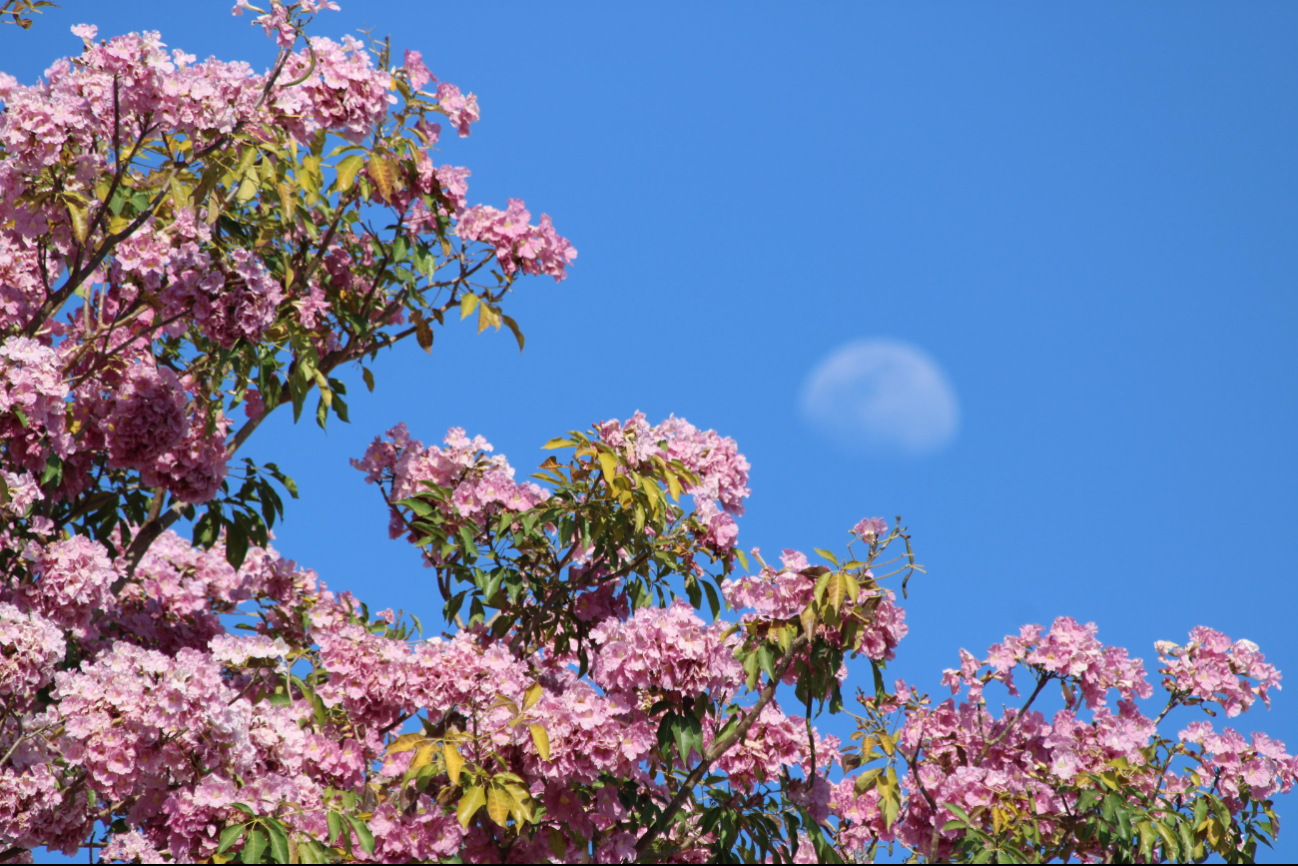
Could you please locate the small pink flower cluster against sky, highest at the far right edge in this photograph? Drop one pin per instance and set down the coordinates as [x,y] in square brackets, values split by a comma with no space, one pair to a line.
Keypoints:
[1213,669]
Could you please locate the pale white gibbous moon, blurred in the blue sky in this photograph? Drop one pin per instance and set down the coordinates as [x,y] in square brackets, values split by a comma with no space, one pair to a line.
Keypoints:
[882,397]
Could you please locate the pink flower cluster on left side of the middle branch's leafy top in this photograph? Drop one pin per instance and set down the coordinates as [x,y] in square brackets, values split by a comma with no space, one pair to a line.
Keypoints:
[480,485]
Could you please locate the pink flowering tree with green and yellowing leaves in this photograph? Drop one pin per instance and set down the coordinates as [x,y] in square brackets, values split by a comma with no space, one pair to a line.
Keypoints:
[188,247]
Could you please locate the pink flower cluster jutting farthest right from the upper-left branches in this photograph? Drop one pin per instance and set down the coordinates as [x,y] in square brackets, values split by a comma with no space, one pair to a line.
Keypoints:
[520,246]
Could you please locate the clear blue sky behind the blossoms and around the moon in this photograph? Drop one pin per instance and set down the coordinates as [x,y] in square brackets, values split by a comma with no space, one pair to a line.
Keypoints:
[1084,215]
